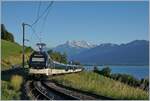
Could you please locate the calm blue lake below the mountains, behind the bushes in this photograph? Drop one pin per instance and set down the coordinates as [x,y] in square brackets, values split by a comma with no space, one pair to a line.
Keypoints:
[137,71]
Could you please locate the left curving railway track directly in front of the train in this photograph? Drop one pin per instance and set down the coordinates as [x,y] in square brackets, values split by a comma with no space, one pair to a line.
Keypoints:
[36,91]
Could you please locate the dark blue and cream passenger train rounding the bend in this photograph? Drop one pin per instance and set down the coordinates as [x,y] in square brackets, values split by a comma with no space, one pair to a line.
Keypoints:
[40,63]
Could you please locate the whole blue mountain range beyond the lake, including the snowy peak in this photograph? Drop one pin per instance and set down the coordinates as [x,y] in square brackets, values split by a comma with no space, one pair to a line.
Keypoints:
[132,53]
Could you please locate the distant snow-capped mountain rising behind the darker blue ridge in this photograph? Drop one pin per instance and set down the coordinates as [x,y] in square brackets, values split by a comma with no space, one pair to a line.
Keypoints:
[73,47]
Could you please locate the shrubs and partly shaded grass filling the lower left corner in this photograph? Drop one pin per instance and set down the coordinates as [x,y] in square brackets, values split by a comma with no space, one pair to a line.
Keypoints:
[11,84]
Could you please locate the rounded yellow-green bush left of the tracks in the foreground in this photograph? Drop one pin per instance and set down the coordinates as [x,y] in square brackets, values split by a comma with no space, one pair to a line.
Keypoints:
[16,82]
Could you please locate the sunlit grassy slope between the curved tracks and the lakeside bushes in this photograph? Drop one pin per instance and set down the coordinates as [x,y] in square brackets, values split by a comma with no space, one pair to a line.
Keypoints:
[100,85]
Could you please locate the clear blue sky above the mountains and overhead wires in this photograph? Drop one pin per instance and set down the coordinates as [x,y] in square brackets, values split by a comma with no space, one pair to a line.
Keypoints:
[94,21]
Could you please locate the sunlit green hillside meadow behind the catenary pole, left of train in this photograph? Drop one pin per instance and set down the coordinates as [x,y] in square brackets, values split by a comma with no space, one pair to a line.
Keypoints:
[11,54]
